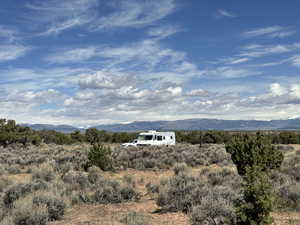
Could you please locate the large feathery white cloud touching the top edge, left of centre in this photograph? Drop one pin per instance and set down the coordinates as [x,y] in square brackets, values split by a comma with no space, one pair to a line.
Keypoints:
[59,16]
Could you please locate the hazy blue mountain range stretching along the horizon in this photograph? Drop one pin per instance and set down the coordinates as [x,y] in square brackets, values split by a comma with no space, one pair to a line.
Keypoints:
[189,124]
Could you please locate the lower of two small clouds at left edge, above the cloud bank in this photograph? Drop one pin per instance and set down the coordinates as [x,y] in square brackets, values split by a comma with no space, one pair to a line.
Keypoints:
[11,52]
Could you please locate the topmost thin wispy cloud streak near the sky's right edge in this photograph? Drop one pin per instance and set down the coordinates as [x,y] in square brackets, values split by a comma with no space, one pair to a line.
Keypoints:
[272,31]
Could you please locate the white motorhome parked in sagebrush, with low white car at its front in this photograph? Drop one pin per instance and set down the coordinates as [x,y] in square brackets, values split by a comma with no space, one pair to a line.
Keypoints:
[153,137]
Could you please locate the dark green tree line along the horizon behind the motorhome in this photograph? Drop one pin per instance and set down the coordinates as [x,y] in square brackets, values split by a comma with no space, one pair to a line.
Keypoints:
[11,133]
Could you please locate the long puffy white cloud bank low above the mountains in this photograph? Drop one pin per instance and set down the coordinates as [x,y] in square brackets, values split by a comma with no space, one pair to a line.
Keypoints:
[123,102]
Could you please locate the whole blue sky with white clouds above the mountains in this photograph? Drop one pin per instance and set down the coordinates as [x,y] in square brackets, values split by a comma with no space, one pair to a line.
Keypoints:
[87,62]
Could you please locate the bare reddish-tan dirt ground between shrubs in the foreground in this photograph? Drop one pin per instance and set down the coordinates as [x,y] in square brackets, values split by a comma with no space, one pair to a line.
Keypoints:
[112,214]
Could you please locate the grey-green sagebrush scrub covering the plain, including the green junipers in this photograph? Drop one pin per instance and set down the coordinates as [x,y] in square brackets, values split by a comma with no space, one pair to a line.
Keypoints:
[39,183]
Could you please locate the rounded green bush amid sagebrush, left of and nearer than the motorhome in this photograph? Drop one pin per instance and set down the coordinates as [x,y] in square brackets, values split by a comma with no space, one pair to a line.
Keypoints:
[100,156]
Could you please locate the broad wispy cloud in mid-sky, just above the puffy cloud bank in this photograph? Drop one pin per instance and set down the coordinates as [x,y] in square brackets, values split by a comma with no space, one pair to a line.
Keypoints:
[148,56]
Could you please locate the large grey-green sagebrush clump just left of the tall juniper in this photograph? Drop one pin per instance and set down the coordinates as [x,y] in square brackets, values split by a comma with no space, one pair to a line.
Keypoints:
[181,192]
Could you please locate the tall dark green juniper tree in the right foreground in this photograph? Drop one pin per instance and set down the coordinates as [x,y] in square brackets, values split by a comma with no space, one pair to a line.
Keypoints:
[254,157]
